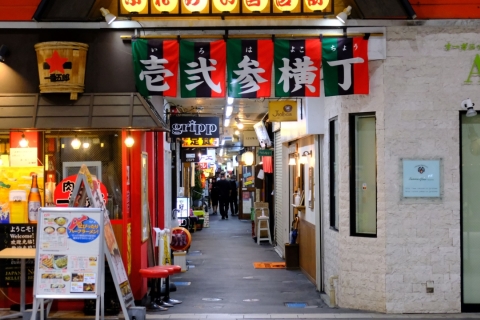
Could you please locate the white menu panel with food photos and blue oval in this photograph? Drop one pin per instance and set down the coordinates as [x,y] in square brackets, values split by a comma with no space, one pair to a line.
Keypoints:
[69,252]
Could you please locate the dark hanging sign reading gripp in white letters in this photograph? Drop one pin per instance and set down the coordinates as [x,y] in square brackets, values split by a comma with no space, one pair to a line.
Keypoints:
[194,127]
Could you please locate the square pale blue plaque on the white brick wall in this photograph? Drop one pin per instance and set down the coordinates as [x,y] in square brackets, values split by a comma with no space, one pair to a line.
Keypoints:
[421,178]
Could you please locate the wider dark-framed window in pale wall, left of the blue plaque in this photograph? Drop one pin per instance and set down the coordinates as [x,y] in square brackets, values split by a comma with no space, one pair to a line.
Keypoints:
[363,178]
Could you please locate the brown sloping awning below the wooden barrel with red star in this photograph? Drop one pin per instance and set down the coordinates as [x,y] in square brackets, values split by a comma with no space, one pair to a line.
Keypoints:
[94,111]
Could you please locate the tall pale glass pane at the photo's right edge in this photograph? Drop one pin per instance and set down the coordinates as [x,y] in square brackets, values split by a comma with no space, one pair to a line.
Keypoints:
[470,153]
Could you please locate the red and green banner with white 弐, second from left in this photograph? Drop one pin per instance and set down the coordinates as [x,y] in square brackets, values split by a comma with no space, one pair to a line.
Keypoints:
[202,69]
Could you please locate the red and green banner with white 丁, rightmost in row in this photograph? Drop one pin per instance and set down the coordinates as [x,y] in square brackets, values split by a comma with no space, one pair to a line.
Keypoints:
[345,66]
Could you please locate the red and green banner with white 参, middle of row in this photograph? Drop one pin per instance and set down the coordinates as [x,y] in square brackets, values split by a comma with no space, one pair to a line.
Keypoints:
[249,68]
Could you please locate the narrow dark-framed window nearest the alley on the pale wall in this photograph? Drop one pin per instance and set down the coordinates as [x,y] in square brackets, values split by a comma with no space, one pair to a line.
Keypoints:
[334,174]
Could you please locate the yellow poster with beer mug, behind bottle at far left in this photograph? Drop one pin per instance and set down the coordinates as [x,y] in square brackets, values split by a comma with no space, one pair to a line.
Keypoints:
[15,185]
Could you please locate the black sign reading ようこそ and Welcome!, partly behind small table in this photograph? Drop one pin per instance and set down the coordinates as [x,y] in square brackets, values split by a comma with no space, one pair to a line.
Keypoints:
[16,236]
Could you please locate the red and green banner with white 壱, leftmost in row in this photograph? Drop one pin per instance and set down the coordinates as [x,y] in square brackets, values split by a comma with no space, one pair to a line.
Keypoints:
[155,63]
